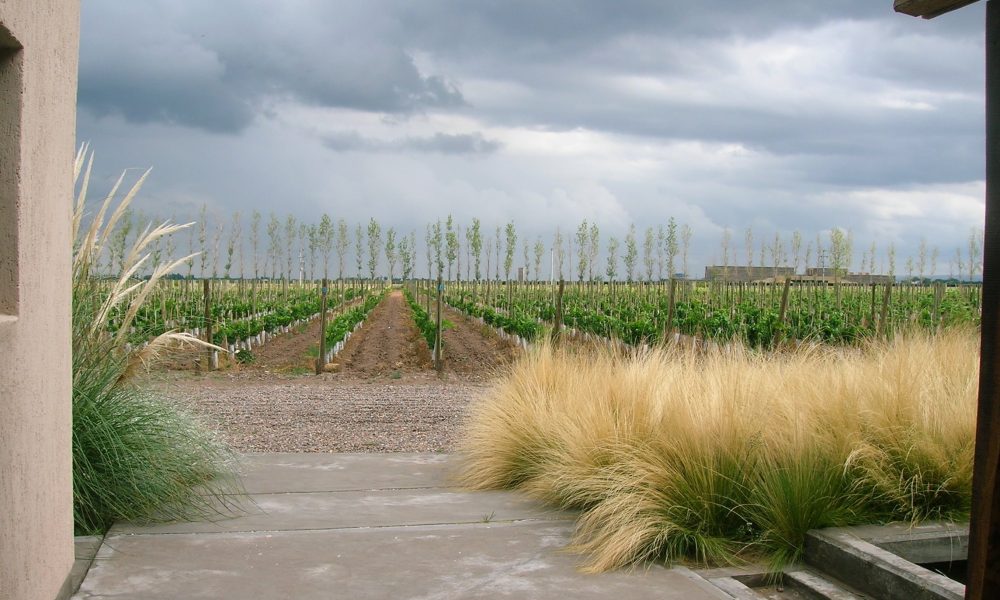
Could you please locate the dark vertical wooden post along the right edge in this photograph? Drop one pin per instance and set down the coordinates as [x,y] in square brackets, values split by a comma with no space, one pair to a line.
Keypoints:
[984,534]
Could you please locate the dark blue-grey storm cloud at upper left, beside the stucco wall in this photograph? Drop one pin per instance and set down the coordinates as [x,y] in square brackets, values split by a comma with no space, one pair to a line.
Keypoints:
[216,66]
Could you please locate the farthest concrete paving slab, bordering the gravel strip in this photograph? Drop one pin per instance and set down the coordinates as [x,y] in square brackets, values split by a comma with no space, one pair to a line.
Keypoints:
[269,473]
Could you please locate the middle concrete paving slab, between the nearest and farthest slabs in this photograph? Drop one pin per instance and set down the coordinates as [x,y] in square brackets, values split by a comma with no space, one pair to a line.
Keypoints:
[380,508]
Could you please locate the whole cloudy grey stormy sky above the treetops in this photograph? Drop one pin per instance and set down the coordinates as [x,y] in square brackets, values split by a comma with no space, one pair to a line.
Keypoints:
[781,116]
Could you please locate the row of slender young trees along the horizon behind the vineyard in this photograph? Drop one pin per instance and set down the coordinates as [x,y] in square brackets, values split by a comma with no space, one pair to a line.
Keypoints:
[276,247]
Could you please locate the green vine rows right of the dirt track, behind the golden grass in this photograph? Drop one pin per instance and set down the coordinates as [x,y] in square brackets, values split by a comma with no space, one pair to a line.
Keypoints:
[755,315]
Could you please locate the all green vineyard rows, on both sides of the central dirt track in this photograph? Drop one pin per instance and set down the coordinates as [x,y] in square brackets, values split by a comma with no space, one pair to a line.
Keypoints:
[244,314]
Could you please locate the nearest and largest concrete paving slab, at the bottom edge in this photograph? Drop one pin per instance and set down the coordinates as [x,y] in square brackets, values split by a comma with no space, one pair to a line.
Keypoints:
[511,560]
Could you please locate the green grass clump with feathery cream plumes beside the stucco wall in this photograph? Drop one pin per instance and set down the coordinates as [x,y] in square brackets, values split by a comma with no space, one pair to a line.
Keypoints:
[134,455]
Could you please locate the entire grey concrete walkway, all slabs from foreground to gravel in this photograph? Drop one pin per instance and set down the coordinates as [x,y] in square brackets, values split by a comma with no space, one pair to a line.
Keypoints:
[366,526]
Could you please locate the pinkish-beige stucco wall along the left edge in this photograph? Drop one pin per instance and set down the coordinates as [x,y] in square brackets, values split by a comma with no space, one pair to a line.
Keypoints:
[36,521]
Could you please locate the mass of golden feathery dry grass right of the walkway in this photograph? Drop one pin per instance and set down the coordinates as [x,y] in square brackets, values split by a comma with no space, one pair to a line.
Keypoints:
[732,454]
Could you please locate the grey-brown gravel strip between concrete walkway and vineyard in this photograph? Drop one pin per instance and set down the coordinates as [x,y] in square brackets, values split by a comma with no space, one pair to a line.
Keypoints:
[327,414]
